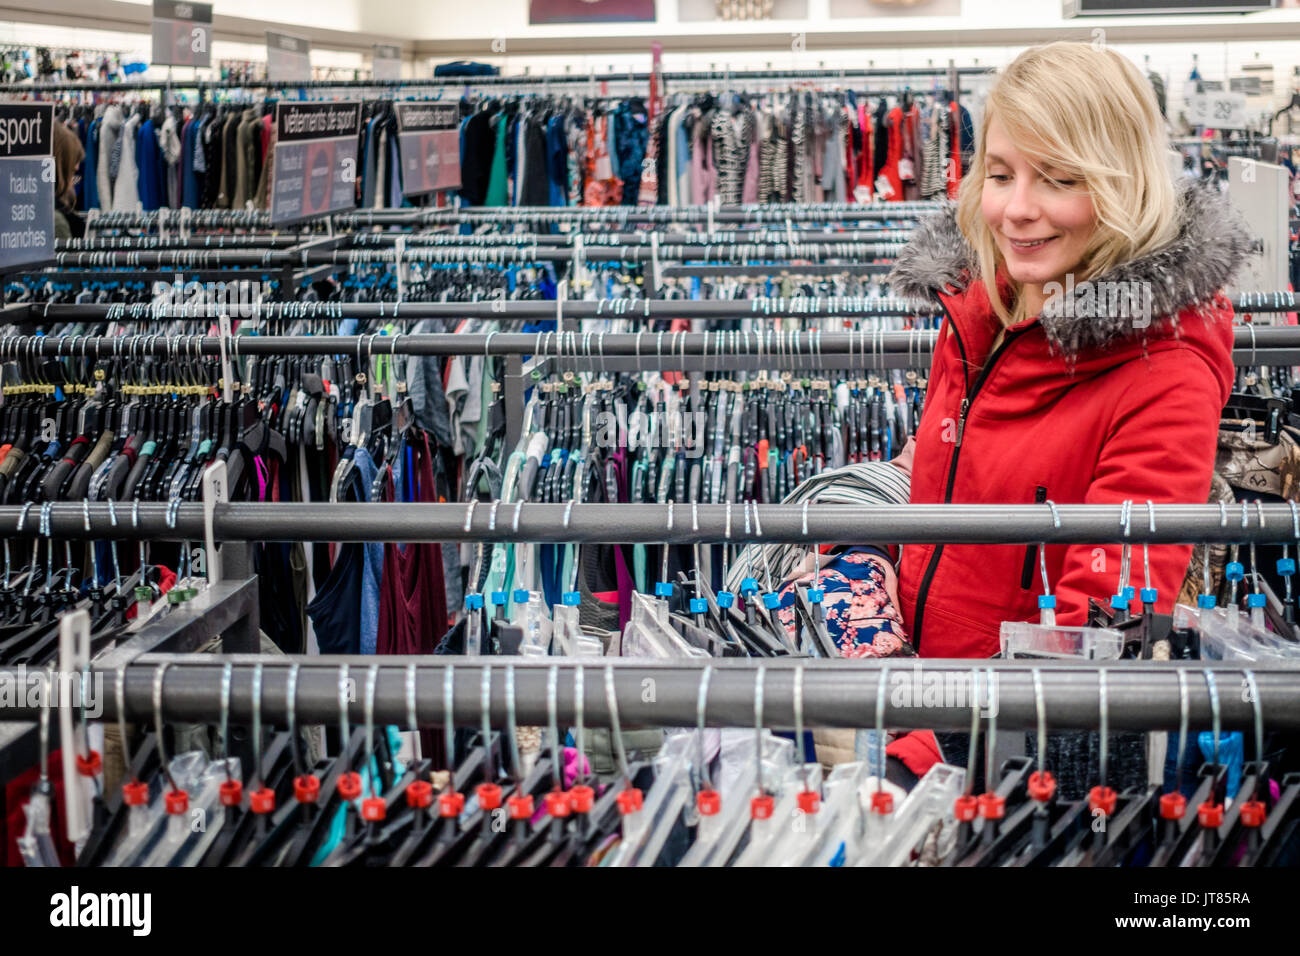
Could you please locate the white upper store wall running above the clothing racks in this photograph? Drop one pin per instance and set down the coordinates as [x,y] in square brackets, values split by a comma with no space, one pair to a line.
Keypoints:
[499,32]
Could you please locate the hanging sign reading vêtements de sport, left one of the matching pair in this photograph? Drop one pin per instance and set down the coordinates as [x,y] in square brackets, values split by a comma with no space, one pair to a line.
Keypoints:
[315,166]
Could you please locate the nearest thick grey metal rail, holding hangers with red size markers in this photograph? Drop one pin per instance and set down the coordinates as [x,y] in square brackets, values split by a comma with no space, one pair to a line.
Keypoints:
[1141,697]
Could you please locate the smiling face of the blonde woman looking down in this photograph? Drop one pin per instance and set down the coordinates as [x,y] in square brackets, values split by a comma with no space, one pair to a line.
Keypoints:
[1042,220]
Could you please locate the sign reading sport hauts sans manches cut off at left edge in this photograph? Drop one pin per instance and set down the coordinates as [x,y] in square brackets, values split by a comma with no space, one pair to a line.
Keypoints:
[28,175]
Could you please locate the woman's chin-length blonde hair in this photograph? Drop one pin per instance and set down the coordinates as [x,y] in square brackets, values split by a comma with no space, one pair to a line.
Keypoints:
[1090,113]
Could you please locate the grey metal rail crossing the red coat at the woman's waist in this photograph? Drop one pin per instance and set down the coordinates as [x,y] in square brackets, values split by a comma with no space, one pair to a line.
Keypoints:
[656,524]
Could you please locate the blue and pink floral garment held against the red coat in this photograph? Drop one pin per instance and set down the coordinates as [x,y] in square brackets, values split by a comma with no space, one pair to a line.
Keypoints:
[861,617]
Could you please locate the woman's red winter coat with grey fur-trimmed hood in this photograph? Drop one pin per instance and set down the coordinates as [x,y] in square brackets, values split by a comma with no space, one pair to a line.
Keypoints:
[1074,409]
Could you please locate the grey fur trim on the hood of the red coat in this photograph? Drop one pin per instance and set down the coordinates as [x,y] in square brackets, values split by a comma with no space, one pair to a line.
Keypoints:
[1212,245]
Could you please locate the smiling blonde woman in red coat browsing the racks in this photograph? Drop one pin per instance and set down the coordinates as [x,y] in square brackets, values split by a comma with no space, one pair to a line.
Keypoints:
[1085,354]
